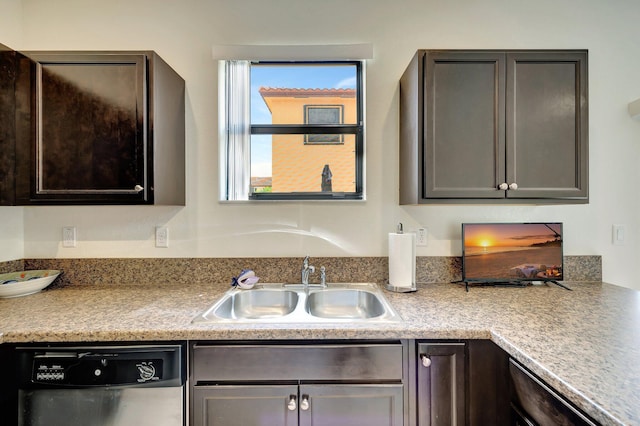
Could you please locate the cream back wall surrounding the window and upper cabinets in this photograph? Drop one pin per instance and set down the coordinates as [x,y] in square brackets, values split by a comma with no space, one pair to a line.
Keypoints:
[183,33]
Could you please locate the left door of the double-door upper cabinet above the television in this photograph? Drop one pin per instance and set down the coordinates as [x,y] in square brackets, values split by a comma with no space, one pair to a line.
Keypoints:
[463,122]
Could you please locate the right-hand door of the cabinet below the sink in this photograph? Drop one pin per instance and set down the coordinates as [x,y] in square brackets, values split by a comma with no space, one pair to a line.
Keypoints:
[351,405]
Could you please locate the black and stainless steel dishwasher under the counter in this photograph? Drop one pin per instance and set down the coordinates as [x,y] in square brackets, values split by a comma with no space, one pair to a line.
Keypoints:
[101,385]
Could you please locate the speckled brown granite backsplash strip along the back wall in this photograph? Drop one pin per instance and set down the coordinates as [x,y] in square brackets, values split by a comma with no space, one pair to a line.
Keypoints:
[184,271]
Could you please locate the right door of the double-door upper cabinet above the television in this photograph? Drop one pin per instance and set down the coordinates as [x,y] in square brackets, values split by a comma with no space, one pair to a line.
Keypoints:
[547,124]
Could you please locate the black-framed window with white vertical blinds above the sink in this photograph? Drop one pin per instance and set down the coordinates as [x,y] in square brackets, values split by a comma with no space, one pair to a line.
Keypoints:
[292,130]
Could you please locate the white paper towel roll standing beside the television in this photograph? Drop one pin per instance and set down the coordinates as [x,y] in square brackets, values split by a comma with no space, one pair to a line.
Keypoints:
[402,260]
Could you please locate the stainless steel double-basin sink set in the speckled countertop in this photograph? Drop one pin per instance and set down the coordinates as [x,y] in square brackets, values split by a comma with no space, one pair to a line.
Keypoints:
[293,303]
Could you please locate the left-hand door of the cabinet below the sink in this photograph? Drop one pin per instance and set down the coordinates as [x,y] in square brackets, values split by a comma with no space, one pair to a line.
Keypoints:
[260,405]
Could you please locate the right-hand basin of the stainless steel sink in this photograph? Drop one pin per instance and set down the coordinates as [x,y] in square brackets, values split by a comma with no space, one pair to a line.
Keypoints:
[345,303]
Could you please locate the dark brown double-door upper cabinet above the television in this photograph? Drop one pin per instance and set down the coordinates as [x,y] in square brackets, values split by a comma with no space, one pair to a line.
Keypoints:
[494,127]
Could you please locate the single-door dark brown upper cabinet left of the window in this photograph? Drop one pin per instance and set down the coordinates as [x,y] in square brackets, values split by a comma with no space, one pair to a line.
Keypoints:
[99,128]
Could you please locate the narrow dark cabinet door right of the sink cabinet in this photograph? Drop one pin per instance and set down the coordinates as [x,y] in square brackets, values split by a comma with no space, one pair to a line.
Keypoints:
[441,384]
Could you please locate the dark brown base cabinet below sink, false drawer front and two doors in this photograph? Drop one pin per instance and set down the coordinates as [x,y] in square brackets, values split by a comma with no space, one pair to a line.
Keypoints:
[298,383]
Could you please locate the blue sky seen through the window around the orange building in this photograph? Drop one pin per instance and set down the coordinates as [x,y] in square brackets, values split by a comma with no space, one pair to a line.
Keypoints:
[292,77]
